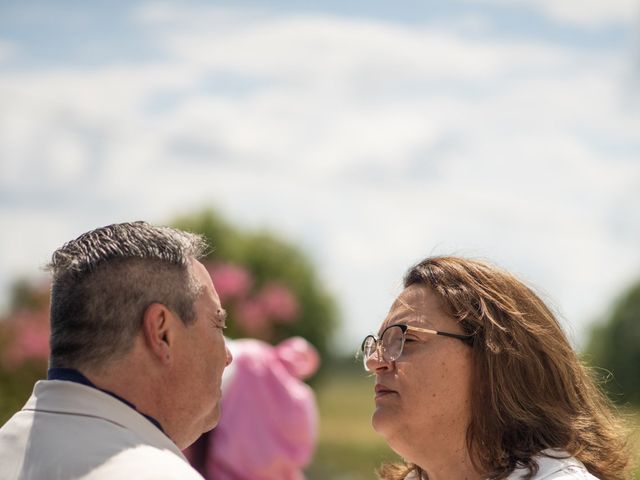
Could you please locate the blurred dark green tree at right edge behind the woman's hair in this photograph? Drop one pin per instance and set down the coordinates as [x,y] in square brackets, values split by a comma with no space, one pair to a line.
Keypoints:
[615,346]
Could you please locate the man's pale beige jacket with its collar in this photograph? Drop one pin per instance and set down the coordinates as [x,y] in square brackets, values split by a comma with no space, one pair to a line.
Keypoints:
[72,431]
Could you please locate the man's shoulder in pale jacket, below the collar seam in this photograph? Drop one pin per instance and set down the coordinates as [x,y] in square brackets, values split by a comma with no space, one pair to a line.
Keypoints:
[82,448]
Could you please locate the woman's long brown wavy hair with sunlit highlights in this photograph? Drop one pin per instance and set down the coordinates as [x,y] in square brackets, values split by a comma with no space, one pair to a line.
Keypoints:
[531,392]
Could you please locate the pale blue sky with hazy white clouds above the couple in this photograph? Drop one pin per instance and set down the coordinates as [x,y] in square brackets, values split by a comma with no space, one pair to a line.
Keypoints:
[371,133]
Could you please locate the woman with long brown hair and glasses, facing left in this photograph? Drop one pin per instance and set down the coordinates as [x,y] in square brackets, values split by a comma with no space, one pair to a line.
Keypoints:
[475,379]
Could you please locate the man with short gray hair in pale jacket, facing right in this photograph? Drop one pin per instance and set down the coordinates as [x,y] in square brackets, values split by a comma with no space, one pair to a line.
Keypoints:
[137,355]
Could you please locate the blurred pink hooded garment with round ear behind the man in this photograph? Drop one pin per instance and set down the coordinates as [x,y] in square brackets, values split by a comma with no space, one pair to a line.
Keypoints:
[269,420]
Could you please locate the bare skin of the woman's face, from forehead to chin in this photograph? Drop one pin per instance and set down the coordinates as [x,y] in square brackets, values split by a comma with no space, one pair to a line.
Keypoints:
[423,397]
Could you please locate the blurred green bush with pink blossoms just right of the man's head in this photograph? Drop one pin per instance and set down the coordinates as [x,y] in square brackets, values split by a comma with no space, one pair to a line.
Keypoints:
[269,287]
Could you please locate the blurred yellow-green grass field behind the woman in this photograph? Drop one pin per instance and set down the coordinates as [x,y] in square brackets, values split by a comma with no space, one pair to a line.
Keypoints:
[349,449]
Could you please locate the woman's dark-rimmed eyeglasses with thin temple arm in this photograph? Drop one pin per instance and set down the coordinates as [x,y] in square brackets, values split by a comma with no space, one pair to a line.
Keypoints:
[391,342]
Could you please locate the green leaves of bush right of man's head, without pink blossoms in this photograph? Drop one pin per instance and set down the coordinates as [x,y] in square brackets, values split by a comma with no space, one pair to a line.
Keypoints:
[270,261]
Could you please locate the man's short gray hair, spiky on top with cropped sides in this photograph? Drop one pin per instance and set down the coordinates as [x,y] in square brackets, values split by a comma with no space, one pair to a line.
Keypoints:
[103,282]
